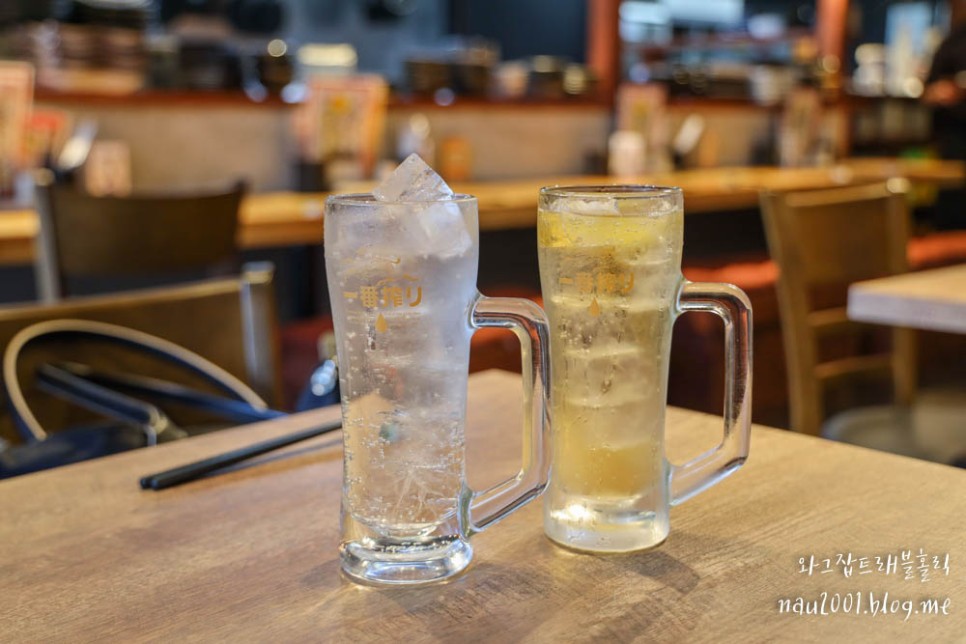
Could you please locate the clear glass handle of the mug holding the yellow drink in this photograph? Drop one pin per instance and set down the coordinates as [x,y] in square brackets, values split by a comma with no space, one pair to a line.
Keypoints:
[731,304]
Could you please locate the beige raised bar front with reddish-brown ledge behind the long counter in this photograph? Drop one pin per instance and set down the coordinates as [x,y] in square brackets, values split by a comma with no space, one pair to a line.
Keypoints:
[183,139]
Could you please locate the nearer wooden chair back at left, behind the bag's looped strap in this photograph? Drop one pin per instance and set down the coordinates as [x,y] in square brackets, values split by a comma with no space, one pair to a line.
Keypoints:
[231,322]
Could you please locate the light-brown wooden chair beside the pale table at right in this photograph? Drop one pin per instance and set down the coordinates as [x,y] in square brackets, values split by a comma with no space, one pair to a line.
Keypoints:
[823,240]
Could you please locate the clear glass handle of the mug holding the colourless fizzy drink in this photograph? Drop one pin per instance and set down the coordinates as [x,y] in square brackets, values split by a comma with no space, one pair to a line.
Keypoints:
[529,323]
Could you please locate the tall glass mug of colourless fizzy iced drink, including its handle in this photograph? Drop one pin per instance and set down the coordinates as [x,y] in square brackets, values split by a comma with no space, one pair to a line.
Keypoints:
[402,282]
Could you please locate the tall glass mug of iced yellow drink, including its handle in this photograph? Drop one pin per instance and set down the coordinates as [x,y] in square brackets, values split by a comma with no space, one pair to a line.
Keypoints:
[610,268]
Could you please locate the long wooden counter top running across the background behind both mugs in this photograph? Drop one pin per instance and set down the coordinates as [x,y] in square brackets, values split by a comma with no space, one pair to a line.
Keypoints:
[289,218]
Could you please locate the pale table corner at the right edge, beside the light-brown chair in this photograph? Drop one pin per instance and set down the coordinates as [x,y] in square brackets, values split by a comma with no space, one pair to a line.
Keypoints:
[934,300]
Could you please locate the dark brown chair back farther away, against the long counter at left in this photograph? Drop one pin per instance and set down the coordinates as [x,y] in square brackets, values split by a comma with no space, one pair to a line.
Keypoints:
[82,236]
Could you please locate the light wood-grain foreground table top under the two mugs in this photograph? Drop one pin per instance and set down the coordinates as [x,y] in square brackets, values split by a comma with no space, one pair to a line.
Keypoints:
[251,555]
